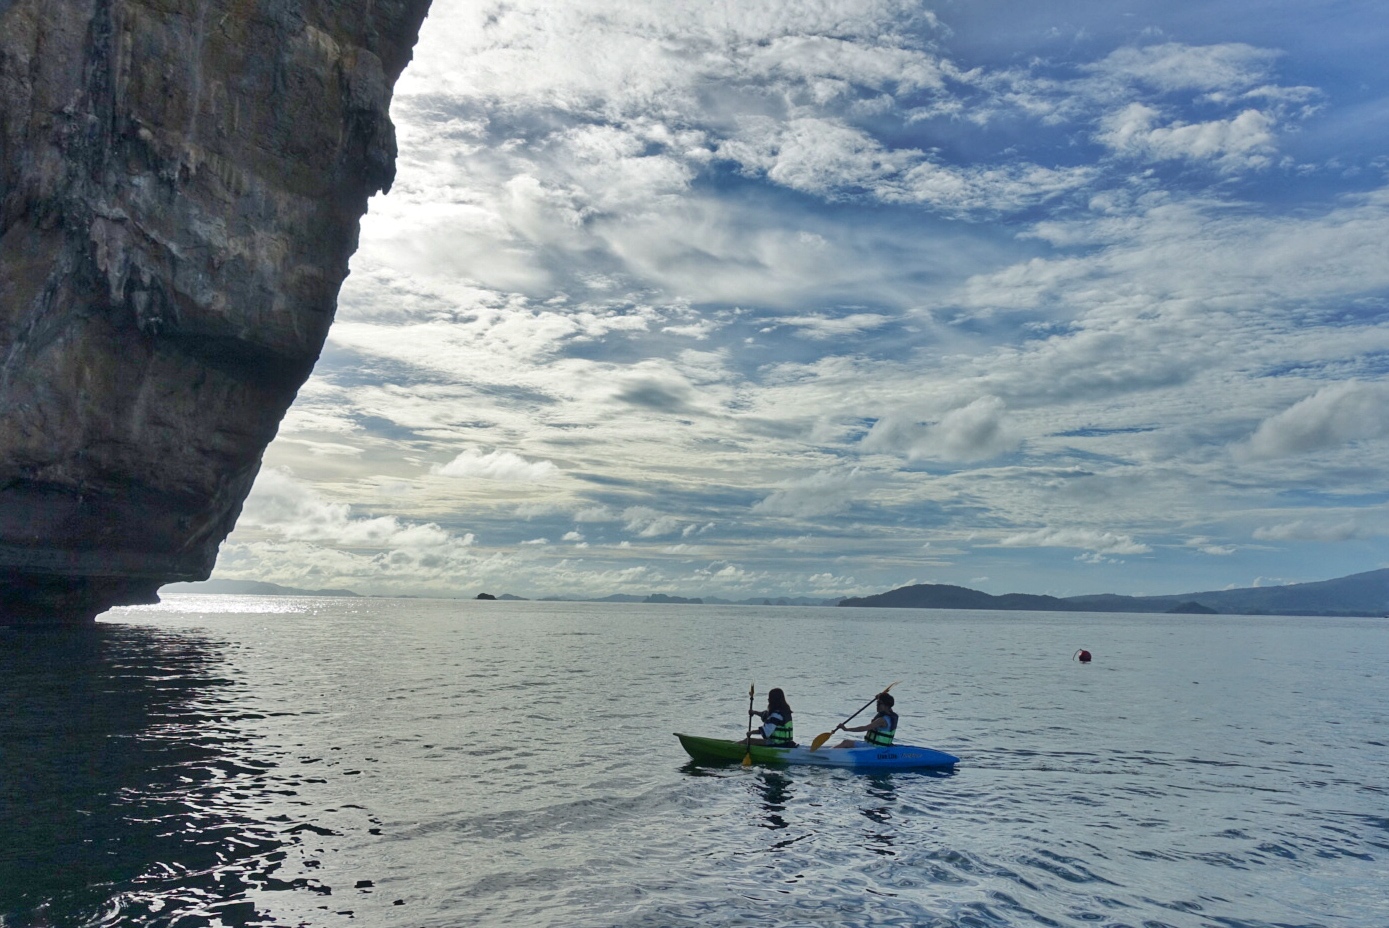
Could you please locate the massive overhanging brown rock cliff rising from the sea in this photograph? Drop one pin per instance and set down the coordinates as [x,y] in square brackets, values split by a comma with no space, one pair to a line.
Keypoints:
[181,184]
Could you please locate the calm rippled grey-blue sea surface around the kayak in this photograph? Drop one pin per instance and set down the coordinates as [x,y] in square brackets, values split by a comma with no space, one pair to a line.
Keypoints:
[419,763]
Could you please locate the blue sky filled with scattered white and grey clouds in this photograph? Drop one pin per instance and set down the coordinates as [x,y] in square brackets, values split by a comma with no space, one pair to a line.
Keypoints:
[823,299]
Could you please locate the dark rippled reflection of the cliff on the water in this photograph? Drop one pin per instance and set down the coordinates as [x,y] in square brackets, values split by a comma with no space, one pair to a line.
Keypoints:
[126,783]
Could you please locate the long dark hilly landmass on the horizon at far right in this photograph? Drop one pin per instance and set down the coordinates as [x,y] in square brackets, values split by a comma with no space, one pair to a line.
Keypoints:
[1356,595]
